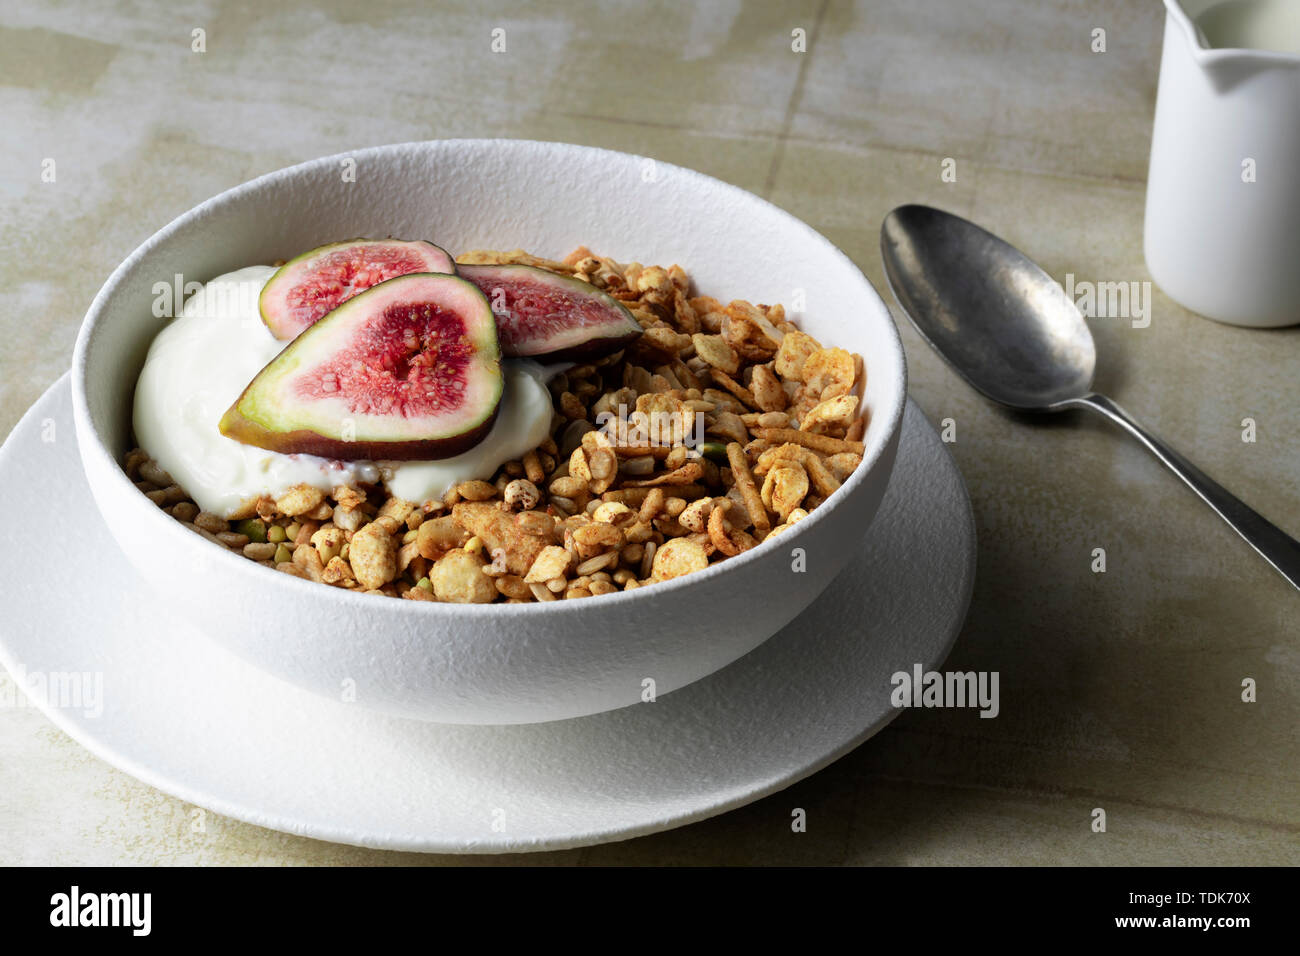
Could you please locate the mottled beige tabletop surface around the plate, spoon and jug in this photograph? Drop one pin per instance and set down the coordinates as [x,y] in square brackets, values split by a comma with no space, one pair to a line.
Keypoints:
[1120,690]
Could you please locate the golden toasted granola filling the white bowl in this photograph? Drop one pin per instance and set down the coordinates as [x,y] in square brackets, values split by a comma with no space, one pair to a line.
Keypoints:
[595,509]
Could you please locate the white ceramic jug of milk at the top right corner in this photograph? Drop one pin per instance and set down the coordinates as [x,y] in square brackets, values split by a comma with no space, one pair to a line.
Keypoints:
[1223,231]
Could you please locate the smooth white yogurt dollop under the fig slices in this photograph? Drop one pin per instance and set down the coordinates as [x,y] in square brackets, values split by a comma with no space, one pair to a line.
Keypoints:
[201,364]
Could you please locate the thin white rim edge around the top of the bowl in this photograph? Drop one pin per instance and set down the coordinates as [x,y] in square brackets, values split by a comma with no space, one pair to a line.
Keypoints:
[886,419]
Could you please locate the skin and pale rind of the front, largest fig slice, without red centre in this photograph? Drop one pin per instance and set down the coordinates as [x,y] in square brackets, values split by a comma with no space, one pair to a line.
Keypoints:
[274,414]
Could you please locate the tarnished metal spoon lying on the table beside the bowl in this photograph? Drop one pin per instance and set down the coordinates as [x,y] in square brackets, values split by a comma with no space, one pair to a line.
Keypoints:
[1009,330]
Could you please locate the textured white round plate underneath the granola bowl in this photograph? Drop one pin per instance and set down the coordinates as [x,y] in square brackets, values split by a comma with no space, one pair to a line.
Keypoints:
[188,717]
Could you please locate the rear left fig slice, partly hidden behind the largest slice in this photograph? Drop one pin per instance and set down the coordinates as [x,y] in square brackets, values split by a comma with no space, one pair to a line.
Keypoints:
[307,288]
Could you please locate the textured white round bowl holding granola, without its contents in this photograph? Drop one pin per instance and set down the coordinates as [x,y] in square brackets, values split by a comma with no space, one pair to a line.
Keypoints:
[491,664]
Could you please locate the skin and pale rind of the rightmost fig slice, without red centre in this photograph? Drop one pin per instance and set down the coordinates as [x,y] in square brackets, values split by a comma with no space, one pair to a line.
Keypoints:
[618,327]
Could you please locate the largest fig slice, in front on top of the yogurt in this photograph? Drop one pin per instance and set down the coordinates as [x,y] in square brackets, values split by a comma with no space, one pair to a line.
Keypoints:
[408,370]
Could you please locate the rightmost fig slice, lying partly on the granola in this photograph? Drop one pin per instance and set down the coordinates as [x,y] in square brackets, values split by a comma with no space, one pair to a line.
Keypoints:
[544,315]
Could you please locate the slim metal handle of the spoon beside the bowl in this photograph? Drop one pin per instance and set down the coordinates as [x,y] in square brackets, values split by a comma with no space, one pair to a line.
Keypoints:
[1279,548]
